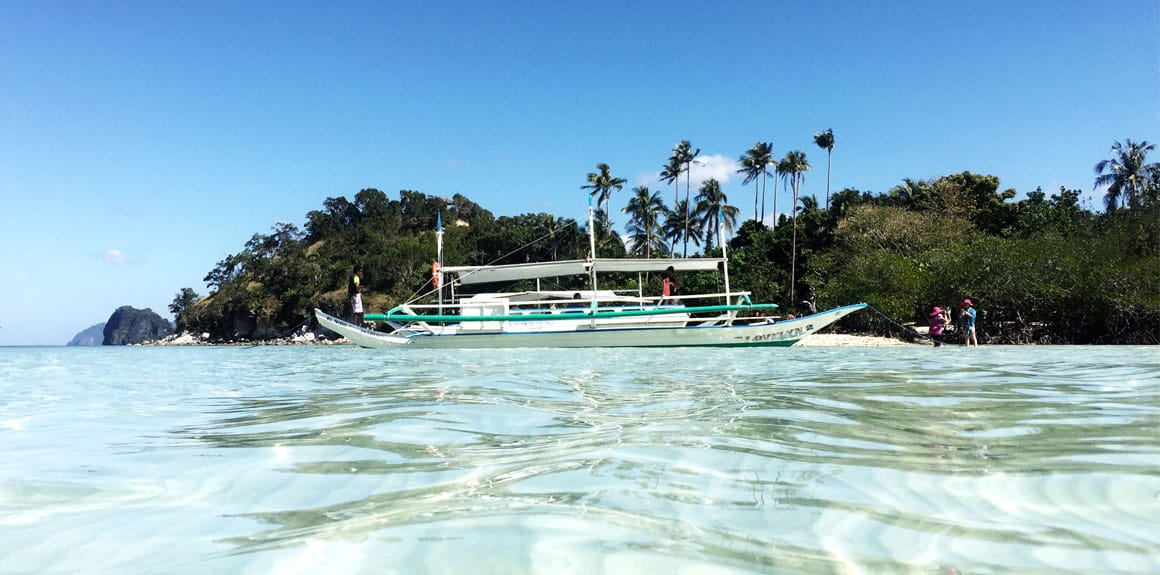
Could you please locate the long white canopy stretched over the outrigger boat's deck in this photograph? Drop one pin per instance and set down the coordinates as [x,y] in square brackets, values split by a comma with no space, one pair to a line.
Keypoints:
[469,275]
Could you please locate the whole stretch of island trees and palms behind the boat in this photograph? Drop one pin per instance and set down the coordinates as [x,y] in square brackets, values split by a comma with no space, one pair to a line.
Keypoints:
[1042,270]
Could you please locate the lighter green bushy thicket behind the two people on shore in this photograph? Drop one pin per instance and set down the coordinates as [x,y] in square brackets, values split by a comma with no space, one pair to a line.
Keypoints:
[1039,271]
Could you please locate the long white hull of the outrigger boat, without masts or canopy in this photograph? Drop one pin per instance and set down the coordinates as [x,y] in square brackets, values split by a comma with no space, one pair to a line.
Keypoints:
[782,333]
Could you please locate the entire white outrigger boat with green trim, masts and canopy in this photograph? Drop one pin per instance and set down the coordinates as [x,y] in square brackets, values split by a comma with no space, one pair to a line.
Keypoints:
[591,318]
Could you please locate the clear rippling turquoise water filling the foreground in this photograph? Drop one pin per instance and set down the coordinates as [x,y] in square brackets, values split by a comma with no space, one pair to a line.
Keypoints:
[336,460]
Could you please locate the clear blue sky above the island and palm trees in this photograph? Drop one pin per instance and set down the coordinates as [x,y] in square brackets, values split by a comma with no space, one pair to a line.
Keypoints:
[141,143]
